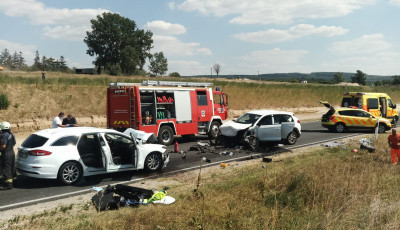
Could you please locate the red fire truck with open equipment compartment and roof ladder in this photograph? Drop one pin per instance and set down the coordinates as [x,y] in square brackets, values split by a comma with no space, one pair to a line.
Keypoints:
[166,108]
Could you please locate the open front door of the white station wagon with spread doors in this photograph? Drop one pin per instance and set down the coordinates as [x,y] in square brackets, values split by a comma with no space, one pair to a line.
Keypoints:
[122,152]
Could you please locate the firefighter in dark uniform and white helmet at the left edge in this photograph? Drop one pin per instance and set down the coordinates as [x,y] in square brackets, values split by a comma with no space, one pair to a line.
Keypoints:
[7,142]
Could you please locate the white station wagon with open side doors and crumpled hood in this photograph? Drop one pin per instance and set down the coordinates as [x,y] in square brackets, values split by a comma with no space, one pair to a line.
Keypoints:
[70,153]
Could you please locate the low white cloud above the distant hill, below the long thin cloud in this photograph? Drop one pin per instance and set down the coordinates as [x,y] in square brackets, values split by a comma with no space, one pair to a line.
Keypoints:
[271,61]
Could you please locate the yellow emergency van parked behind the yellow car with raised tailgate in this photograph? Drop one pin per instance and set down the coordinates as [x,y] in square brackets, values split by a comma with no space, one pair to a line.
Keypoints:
[378,104]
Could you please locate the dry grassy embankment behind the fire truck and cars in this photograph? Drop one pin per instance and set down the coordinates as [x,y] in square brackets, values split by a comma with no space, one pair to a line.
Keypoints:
[85,95]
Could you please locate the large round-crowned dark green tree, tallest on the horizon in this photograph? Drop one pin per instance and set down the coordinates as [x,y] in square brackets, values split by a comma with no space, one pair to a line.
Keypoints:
[116,41]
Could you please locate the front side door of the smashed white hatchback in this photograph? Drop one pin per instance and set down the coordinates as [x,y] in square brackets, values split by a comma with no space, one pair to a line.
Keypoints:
[266,130]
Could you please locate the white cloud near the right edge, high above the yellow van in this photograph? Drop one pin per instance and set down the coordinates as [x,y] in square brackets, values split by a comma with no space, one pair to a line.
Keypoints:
[366,44]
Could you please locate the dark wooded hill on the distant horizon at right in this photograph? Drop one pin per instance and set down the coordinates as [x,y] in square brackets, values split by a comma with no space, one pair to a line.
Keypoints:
[314,76]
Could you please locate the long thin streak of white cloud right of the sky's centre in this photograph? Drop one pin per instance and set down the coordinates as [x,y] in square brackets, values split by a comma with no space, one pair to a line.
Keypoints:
[295,32]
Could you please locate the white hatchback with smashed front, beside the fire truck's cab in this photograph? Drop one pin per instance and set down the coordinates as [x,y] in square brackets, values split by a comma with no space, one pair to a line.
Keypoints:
[263,126]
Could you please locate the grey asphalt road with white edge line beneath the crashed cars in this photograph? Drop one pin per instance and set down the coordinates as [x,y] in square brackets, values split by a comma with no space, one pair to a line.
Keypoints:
[30,190]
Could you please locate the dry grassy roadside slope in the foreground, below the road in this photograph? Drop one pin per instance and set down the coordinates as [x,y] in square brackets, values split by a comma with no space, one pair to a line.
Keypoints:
[328,188]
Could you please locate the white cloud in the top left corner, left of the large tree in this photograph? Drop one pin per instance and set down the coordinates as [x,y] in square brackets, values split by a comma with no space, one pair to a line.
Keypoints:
[62,21]
